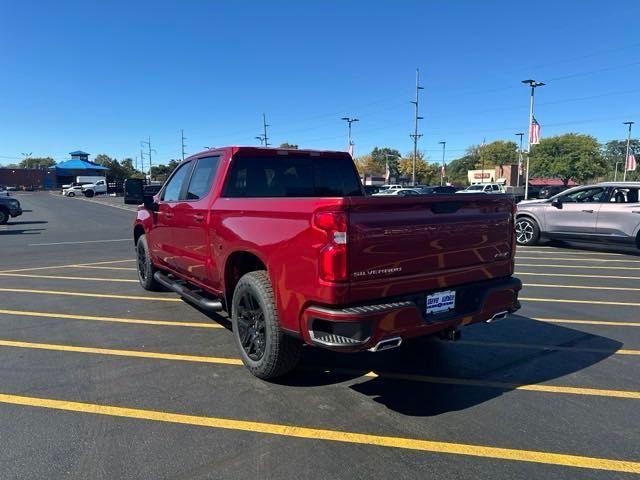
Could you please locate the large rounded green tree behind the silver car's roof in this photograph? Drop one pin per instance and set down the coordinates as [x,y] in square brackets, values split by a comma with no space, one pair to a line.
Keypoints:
[568,157]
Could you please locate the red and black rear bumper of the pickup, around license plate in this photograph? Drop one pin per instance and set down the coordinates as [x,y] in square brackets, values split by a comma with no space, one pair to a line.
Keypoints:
[361,327]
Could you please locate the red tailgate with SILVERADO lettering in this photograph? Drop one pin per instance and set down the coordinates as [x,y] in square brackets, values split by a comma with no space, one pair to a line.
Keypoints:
[429,241]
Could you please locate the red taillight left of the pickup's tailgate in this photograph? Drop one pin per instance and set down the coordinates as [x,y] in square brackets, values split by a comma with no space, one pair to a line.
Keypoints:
[333,255]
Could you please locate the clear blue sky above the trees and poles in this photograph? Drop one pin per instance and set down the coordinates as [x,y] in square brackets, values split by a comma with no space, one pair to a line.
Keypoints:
[102,76]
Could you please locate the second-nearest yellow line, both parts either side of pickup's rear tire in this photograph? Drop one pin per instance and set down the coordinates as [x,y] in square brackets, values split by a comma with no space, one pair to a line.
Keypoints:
[396,376]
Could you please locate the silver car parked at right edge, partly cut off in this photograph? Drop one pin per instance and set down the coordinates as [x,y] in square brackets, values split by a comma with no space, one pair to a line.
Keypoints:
[608,211]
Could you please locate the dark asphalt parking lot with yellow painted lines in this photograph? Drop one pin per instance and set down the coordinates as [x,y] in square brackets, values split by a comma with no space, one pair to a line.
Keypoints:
[101,379]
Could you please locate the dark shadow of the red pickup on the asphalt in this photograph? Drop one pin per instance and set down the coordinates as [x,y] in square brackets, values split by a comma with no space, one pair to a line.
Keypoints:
[433,377]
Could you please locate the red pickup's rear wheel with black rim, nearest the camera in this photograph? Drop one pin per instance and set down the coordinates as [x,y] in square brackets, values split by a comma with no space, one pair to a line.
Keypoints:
[265,349]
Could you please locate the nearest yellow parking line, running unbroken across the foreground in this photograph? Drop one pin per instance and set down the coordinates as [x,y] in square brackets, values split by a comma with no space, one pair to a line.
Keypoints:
[316,434]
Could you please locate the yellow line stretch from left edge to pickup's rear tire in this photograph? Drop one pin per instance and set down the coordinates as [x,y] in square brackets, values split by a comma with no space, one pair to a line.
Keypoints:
[122,353]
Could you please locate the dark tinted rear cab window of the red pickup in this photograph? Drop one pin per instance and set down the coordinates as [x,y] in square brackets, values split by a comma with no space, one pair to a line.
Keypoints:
[292,176]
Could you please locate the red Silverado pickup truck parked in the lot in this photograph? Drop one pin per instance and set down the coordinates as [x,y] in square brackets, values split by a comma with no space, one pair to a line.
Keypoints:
[288,244]
